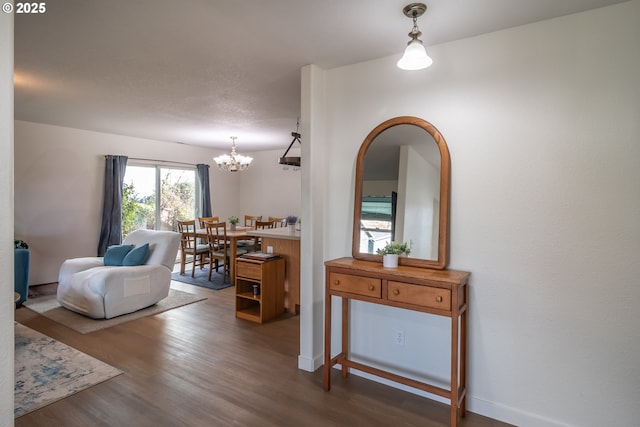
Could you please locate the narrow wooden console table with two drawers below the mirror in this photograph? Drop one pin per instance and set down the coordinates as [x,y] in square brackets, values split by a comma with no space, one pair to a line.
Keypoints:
[439,292]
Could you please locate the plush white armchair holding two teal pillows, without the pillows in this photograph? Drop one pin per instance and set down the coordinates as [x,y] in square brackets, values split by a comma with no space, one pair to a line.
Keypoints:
[87,286]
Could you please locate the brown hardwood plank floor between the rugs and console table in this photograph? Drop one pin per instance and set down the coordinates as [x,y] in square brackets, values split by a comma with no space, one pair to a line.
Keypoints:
[198,365]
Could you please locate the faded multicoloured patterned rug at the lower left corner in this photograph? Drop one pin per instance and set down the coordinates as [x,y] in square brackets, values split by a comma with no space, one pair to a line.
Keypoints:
[47,370]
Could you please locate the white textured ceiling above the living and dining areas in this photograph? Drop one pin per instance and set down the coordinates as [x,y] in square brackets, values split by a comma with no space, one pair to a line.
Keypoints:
[199,71]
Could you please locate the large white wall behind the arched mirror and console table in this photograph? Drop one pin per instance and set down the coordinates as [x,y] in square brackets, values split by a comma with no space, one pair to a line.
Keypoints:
[542,122]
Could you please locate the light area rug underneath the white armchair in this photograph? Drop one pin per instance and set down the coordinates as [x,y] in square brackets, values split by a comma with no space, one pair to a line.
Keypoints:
[50,308]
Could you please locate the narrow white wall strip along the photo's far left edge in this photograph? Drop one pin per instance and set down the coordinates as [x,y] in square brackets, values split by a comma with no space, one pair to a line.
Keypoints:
[6,220]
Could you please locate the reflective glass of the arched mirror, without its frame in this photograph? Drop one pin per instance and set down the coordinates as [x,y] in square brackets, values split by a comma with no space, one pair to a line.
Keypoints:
[401,192]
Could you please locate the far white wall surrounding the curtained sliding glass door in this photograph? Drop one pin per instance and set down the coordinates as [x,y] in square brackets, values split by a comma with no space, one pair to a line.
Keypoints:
[59,175]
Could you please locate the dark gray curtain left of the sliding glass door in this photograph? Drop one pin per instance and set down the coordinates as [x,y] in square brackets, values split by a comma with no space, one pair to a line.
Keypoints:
[111,228]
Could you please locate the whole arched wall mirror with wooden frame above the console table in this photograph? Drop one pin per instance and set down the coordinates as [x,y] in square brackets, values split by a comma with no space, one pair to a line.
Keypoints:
[402,192]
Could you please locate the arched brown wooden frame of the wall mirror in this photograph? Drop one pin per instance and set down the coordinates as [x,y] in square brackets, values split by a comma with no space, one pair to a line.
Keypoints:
[445,172]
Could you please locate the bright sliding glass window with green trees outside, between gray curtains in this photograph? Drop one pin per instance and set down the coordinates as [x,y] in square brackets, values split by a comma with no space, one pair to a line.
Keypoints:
[156,197]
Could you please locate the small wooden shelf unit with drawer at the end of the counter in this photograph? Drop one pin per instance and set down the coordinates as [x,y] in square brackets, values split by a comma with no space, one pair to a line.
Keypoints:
[268,276]
